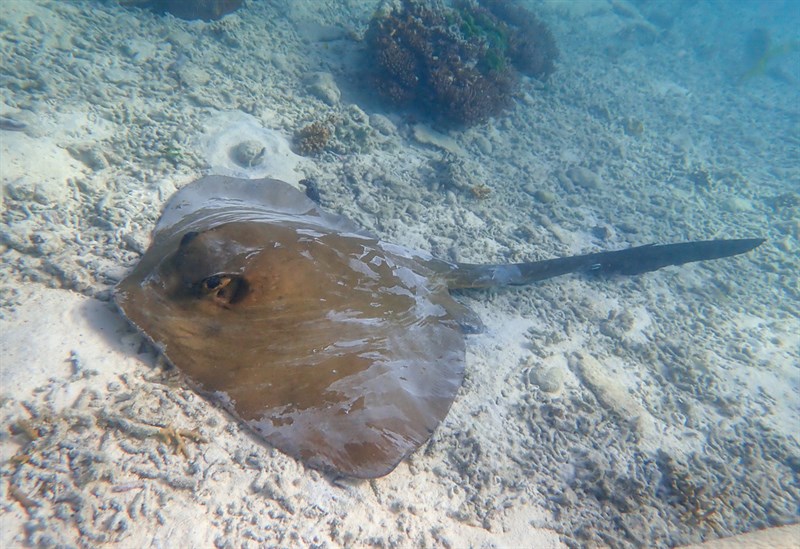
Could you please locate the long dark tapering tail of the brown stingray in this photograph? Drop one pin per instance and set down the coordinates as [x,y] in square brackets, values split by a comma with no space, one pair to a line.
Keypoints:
[631,261]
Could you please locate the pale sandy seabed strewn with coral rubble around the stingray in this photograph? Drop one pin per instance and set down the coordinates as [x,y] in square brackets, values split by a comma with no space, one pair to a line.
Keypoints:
[651,411]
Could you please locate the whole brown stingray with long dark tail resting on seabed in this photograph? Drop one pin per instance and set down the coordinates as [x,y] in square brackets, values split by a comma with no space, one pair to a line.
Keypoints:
[339,349]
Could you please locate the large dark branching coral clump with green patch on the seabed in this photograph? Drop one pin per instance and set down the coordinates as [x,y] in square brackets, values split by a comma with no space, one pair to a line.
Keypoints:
[457,64]
